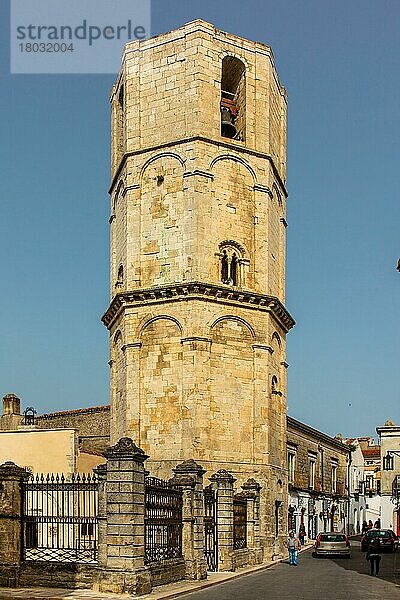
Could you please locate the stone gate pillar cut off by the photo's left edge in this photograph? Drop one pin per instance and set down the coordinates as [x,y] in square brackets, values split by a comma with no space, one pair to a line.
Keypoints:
[11,508]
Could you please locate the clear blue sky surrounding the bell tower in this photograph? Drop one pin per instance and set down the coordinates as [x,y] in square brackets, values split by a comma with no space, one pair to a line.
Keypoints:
[340,64]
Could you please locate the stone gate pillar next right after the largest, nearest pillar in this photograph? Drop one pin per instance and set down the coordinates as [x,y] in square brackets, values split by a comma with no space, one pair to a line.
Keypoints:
[189,477]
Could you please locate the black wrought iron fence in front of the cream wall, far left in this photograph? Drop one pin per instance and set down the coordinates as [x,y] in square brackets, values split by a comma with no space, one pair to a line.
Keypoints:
[60,518]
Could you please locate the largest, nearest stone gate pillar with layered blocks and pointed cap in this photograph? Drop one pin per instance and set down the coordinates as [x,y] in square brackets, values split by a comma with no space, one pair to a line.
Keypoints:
[122,569]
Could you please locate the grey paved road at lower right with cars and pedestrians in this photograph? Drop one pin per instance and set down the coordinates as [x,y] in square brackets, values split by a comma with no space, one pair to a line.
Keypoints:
[314,579]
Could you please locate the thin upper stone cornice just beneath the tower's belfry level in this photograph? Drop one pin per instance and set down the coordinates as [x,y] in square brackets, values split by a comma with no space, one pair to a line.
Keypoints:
[198,138]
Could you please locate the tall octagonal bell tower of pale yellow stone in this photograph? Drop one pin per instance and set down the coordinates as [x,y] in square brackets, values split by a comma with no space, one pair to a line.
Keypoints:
[197,319]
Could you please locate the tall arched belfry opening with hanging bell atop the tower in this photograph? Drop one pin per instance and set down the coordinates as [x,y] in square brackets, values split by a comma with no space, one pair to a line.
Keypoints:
[233,98]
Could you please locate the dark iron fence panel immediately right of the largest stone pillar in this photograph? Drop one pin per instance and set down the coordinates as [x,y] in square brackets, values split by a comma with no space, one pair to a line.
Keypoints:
[163,521]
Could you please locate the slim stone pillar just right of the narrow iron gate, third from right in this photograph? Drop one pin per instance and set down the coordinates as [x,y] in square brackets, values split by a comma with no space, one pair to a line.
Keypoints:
[223,482]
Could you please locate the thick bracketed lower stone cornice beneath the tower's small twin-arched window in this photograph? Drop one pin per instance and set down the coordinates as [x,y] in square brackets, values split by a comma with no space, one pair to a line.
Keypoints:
[199,291]
